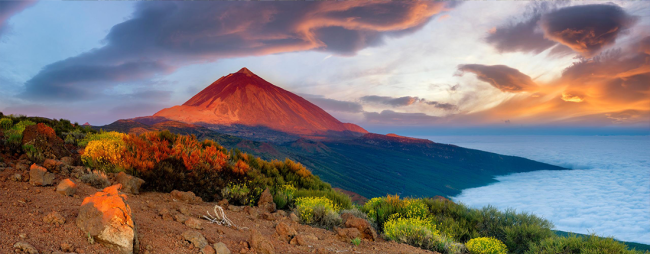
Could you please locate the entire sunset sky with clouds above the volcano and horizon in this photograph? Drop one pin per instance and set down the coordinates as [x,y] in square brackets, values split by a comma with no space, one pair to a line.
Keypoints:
[409,66]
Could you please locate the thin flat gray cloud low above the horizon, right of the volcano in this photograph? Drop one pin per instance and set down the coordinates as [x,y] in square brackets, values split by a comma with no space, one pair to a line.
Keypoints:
[389,117]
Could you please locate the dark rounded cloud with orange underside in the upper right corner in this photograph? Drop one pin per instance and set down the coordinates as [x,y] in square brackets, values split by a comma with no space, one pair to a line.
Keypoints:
[587,29]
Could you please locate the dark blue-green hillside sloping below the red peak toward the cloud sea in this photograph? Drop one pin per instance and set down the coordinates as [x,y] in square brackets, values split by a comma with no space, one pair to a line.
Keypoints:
[374,164]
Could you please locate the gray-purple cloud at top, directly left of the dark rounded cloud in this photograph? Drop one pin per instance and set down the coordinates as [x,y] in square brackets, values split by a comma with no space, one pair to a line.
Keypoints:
[523,34]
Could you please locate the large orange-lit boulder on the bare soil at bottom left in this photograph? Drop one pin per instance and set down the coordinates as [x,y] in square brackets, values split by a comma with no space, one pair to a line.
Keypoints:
[106,217]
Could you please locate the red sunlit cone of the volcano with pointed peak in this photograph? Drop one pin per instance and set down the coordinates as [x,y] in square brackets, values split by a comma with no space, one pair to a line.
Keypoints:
[243,98]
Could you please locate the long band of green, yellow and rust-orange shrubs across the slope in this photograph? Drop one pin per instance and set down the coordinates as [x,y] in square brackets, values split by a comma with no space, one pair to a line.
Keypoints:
[168,161]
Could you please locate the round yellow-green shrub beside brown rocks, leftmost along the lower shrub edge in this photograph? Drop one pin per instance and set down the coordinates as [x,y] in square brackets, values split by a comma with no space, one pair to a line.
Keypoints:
[312,210]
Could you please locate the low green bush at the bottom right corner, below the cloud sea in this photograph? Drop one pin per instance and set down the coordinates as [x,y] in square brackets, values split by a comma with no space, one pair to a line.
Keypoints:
[580,244]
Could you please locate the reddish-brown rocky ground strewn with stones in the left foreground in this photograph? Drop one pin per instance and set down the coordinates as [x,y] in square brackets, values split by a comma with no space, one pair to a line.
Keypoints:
[41,211]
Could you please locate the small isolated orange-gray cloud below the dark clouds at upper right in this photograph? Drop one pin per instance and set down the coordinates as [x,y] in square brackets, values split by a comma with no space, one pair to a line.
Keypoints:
[501,77]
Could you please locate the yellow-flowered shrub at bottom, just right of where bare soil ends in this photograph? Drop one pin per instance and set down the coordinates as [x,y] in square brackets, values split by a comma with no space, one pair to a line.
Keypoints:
[413,231]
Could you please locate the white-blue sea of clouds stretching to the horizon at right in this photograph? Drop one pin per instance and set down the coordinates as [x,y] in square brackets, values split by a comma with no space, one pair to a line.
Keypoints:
[607,192]
